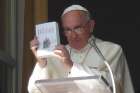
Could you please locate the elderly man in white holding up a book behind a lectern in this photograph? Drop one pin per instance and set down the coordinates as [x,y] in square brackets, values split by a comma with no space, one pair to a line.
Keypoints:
[83,56]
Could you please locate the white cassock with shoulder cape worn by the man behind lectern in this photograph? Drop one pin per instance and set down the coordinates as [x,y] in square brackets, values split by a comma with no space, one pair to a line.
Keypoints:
[88,62]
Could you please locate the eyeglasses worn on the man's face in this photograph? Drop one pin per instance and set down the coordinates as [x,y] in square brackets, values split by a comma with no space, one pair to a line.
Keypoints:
[77,29]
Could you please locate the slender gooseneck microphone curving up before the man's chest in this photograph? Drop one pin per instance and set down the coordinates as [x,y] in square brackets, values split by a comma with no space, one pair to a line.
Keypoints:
[105,62]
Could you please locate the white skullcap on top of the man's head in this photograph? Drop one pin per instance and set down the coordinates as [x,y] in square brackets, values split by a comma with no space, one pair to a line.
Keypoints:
[74,7]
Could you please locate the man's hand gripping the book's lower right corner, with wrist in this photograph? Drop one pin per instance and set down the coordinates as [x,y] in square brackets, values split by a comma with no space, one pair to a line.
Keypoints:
[62,53]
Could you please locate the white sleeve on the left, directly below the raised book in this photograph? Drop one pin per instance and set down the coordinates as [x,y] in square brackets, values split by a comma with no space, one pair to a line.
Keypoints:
[52,70]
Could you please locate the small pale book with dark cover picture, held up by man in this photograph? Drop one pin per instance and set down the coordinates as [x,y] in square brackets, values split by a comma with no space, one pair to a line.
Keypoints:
[48,37]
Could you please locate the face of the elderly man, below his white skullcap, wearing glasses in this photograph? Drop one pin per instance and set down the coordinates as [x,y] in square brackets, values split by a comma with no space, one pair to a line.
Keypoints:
[77,28]
